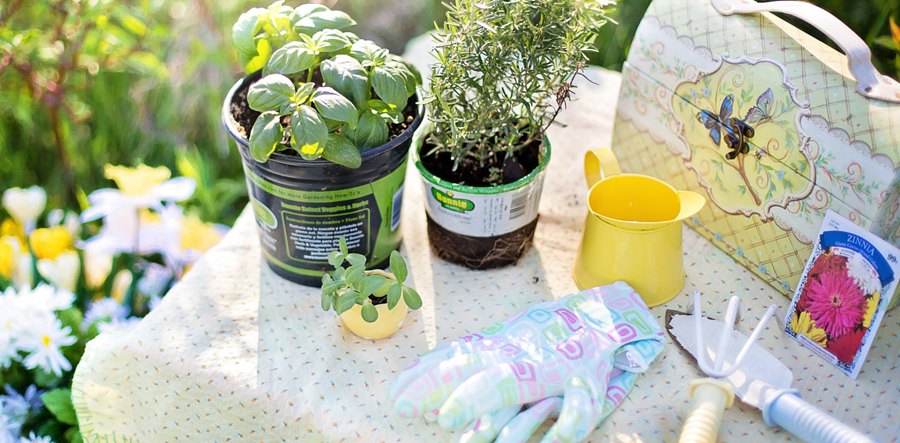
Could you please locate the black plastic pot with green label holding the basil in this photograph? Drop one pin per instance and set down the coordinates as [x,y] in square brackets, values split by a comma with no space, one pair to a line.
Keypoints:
[303,207]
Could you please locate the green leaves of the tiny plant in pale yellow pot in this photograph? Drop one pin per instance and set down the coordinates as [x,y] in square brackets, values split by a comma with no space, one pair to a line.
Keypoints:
[351,285]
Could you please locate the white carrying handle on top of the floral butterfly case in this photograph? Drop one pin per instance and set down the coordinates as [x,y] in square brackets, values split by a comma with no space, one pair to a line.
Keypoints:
[871,83]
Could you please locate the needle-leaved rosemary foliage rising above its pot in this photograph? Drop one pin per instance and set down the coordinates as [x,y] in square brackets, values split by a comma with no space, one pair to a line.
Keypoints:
[504,71]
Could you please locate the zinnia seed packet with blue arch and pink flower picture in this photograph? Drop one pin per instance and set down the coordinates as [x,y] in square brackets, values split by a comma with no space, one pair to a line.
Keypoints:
[843,293]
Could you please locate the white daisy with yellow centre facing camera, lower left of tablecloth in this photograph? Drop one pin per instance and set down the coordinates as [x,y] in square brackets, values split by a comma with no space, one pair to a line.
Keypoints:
[43,341]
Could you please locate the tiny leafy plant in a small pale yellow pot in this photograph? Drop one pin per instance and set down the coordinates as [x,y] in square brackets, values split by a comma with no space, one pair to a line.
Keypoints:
[371,303]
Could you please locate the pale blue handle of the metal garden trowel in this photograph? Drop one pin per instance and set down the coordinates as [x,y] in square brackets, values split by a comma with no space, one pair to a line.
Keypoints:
[811,424]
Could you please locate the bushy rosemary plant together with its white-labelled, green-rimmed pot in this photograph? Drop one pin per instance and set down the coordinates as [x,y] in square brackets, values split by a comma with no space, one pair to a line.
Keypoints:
[504,71]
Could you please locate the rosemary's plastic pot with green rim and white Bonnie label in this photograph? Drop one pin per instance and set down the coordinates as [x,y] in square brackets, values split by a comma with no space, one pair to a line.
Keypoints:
[482,227]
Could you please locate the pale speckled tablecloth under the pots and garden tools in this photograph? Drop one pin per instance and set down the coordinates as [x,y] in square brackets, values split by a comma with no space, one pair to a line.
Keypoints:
[235,353]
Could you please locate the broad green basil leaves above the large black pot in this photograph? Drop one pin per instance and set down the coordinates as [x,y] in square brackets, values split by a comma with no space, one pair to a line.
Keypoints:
[324,118]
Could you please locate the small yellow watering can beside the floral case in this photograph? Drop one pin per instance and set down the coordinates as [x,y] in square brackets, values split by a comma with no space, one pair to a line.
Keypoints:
[632,231]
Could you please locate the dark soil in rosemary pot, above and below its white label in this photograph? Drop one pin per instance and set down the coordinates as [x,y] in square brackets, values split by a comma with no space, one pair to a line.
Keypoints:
[481,252]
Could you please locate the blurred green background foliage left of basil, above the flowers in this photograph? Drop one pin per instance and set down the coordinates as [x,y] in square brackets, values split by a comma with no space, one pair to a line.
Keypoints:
[86,83]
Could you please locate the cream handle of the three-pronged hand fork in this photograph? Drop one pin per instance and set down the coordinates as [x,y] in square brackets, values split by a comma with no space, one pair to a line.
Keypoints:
[709,398]
